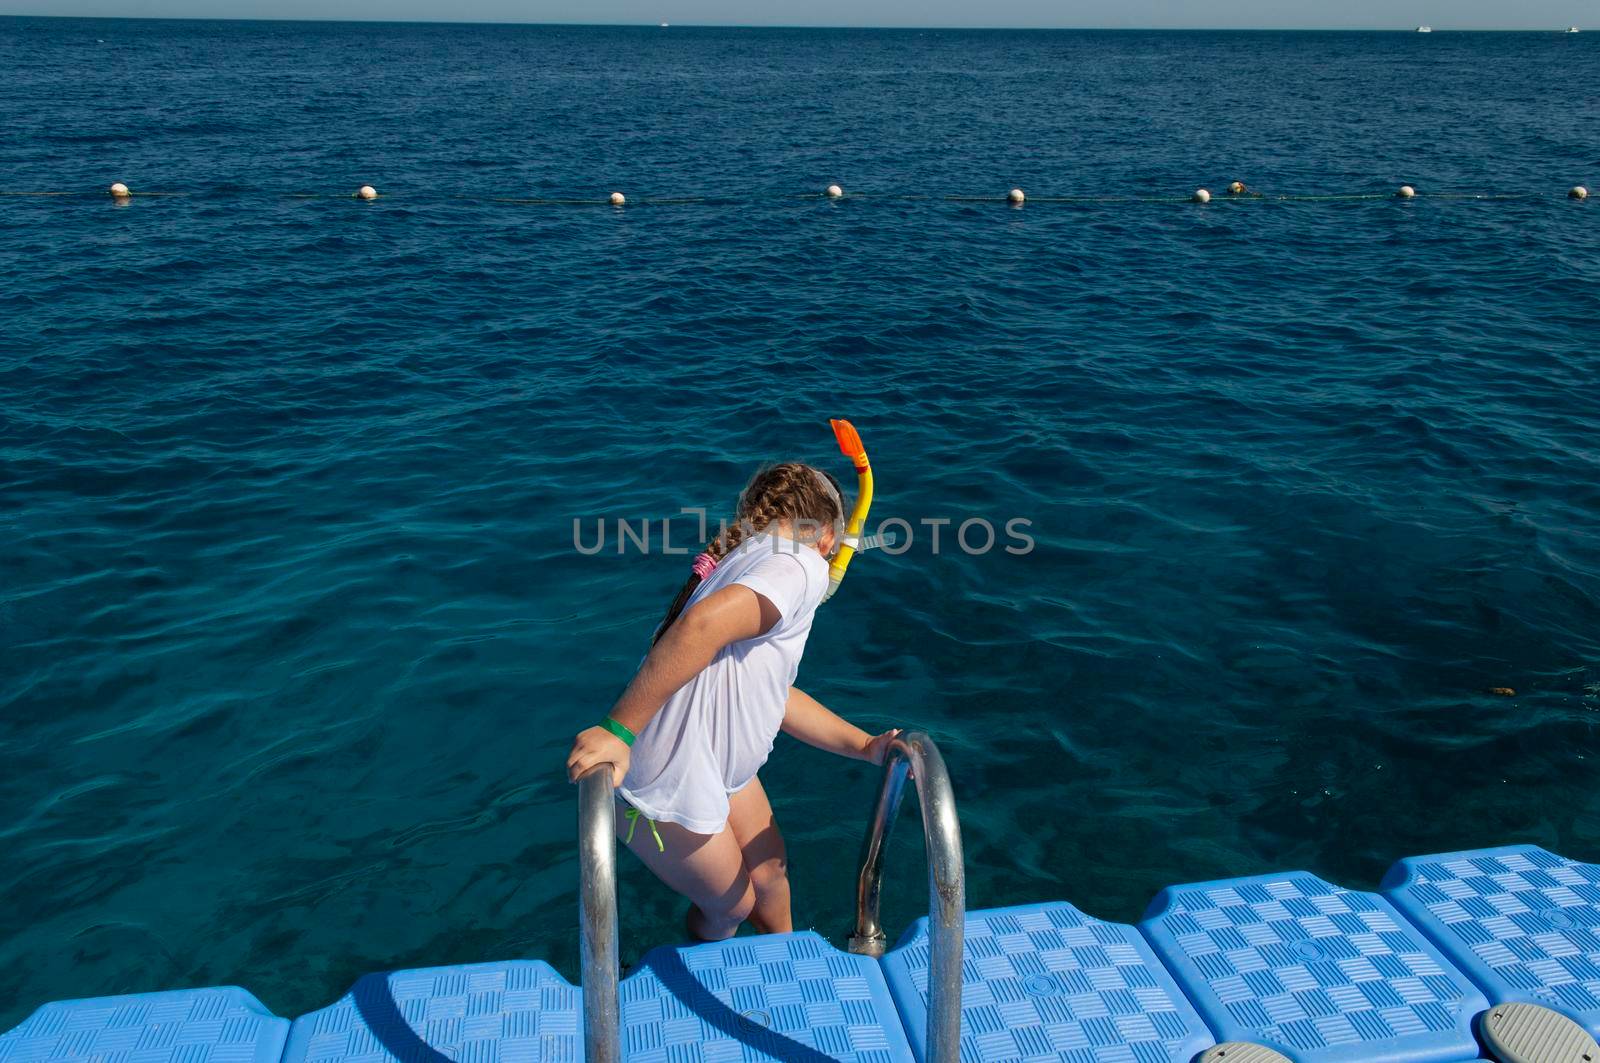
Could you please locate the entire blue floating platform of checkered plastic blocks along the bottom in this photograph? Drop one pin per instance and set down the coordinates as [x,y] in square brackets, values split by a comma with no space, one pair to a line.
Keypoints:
[1462,957]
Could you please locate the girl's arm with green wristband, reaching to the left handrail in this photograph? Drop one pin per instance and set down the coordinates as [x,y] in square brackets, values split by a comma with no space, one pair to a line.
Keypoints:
[689,646]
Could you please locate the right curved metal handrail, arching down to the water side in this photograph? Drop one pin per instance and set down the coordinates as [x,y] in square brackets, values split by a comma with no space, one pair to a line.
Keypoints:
[914,753]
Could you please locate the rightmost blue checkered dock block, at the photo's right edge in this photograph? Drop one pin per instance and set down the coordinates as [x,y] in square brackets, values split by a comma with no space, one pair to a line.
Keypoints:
[1522,921]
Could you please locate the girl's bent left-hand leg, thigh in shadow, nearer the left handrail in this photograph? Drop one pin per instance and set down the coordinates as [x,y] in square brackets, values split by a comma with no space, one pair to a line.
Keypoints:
[706,868]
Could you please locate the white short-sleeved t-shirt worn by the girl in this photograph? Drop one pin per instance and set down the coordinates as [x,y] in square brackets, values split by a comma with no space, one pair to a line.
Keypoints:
[716,732]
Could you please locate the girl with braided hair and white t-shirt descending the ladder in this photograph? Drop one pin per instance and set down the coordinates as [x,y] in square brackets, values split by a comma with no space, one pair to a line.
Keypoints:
[698,721]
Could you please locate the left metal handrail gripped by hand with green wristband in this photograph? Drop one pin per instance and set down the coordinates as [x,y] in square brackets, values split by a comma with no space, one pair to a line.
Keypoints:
[598,917]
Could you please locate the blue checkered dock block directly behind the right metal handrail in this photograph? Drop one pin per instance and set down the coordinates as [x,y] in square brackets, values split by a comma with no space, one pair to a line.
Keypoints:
[1046,982]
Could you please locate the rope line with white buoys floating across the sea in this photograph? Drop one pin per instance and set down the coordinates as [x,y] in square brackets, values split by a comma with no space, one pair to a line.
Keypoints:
[1236,193]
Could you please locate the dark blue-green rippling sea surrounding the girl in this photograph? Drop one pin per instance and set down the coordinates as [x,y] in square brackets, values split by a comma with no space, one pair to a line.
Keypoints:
[294,627]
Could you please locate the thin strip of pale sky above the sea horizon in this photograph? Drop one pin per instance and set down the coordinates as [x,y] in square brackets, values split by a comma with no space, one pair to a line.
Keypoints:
[918,14]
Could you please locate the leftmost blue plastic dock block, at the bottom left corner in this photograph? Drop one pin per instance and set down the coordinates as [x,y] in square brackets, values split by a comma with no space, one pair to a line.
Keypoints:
[217,1025]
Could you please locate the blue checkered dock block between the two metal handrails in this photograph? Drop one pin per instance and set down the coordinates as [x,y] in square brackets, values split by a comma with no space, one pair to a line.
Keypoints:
[783,997]
